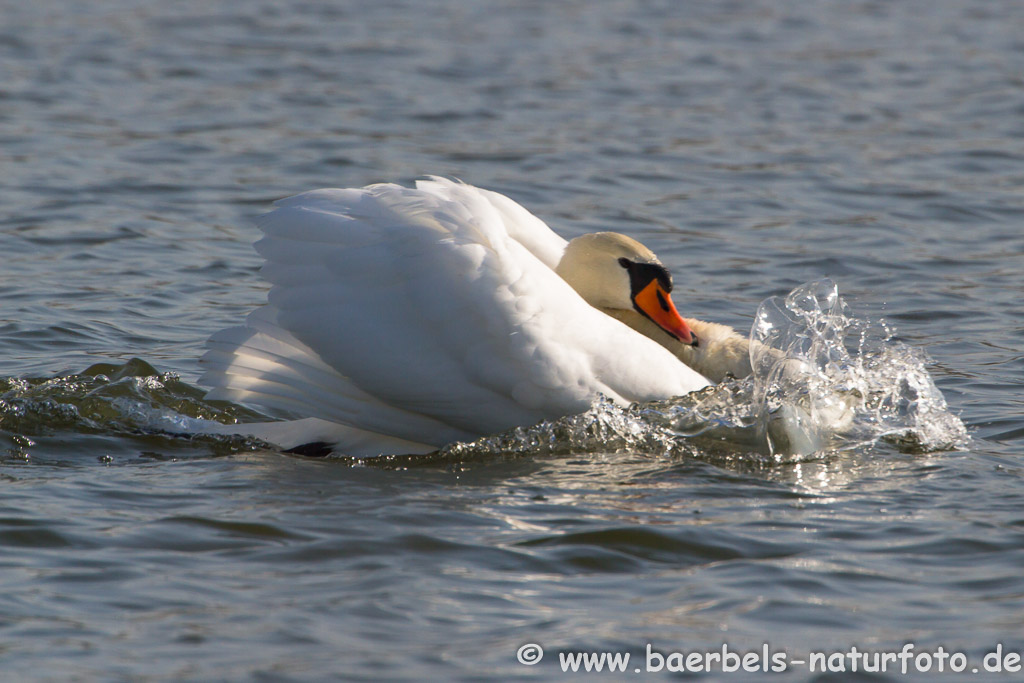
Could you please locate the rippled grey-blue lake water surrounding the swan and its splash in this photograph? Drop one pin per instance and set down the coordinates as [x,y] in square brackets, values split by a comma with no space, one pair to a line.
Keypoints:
[755,146]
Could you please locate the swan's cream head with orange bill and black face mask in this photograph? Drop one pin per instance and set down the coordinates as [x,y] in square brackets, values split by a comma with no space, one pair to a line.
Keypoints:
[618,274]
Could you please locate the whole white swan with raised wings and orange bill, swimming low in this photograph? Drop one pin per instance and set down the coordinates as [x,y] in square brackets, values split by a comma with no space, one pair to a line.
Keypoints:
[401,320]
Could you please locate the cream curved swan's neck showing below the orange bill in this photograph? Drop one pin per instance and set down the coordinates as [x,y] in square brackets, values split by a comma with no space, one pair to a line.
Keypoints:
[721,351]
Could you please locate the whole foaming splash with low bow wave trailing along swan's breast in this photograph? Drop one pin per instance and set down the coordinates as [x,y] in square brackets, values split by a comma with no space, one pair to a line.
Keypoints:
[823,380]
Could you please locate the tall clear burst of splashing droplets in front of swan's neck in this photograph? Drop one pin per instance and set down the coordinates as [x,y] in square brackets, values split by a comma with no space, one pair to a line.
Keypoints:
[830,379]
